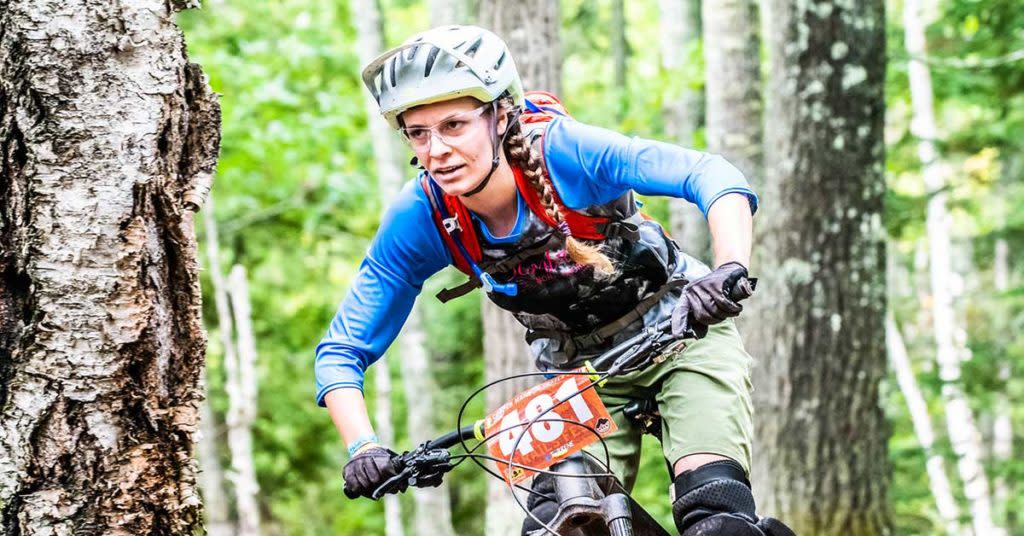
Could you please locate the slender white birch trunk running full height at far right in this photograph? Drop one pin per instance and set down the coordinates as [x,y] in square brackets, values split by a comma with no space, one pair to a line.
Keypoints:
[964,433]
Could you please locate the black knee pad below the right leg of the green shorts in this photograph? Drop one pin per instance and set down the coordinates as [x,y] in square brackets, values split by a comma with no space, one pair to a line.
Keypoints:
[714,500]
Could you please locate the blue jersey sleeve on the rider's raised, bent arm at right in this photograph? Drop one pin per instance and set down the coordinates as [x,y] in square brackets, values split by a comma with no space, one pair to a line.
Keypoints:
[590,166]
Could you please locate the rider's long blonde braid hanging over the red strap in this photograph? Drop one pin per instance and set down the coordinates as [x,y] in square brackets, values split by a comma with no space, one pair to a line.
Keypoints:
[523,154]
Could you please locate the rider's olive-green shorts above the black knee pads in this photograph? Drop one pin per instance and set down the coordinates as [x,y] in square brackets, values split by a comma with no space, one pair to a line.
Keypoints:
[704,396]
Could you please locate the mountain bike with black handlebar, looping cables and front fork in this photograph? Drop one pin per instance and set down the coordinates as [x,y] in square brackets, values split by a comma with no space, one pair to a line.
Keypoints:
[590,501]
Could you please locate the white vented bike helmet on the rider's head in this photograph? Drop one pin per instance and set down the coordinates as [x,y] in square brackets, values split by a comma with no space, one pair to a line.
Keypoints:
[443,64]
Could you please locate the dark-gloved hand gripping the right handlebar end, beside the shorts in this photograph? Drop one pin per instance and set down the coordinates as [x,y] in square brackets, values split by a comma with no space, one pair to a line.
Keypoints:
[708,302]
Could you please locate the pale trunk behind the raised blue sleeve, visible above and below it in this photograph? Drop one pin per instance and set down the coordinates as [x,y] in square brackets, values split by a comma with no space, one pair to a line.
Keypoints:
[679,30]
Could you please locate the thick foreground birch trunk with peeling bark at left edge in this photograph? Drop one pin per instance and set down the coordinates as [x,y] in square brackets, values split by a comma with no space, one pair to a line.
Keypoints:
[108,143]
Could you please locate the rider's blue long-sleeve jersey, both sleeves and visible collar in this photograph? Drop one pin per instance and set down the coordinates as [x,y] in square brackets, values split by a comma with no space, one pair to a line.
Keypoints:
[588,167]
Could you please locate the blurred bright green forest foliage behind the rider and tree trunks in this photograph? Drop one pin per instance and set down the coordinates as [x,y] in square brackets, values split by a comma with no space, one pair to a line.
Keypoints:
[297,202]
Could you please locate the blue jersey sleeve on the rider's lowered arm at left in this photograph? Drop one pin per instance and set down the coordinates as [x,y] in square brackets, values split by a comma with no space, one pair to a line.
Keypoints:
[406,252]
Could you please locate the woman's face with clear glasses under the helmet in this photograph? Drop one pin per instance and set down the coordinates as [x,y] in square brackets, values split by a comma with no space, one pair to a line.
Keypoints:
[452,141]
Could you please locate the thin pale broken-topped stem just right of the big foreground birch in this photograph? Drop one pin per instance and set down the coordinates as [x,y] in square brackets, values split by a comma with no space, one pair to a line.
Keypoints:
[242,389]
